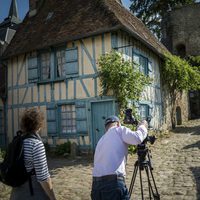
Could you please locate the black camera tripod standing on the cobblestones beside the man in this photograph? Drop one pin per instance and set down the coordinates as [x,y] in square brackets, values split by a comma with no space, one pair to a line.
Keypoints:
[144,163]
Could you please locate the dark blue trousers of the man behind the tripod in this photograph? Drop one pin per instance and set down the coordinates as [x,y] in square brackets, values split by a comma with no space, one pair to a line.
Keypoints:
[111,189]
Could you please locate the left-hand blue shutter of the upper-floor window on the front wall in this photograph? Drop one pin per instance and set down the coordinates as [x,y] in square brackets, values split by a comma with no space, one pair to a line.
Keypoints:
[33,74]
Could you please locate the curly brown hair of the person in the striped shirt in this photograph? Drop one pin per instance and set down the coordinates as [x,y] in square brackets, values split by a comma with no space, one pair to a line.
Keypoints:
[32,120]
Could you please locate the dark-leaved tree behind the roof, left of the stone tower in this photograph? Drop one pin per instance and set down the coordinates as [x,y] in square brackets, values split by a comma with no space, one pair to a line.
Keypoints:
[151,12]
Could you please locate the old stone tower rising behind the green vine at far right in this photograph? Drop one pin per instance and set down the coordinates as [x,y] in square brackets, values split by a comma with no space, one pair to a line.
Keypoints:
[181,35]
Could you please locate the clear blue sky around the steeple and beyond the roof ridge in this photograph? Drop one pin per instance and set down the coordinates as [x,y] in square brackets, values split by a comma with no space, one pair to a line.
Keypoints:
[23,7]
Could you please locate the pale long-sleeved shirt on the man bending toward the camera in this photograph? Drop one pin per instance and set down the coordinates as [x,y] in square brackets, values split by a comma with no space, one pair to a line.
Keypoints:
[112,149]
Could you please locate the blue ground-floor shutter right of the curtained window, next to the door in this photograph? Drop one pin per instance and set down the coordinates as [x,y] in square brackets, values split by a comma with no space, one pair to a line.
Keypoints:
[81,118]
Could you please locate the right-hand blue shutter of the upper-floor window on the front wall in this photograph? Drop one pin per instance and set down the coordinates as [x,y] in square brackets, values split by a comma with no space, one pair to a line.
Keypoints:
[71,66]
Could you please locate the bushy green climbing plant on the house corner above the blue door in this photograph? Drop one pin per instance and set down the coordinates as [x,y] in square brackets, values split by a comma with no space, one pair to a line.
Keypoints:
[120,79]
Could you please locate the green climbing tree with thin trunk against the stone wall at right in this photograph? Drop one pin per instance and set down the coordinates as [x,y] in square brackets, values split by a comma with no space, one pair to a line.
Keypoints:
[179,76]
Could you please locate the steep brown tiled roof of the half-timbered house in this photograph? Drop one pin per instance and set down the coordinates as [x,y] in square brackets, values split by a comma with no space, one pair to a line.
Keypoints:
[67,20]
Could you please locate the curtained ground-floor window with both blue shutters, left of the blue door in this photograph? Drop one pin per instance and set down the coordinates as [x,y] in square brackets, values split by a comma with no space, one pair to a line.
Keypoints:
[67,119]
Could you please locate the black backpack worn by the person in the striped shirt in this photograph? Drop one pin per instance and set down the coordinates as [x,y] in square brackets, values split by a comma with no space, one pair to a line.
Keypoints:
[12,169]
